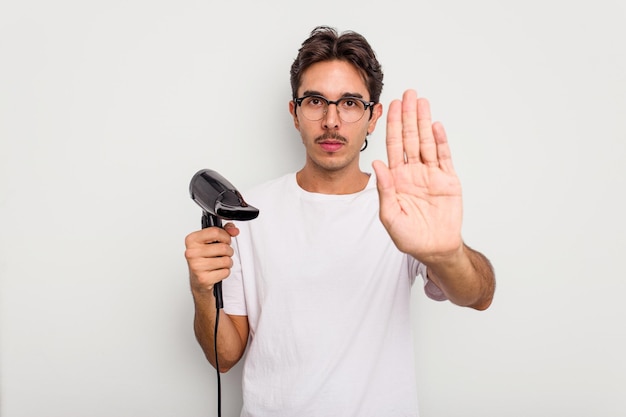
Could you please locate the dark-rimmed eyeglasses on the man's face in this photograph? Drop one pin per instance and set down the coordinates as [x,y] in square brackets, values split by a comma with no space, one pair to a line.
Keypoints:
[350,109]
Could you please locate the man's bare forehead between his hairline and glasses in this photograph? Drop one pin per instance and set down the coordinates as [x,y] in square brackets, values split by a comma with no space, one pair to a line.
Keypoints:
[333,79]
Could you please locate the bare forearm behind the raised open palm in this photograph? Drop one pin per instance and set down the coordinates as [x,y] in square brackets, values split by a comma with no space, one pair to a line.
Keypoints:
[467,278]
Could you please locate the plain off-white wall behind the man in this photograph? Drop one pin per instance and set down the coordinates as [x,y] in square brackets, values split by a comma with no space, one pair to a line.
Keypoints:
[108,108]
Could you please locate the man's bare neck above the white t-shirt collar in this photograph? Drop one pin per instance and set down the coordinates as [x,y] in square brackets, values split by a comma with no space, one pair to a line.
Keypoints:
[332,182]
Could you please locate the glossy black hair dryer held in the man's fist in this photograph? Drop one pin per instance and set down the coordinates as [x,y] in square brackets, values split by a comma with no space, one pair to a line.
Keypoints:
[219,200]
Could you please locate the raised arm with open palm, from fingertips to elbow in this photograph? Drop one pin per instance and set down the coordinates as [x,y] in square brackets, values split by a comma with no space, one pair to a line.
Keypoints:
[421,204]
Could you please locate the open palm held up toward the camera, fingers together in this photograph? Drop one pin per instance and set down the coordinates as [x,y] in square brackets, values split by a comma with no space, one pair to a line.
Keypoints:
[420,193]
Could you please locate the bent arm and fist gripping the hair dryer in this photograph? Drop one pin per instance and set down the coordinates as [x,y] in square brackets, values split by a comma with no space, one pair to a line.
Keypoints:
[208,253]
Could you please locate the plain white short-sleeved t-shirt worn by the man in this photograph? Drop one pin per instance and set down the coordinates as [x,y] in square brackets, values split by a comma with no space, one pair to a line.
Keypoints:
[327,295]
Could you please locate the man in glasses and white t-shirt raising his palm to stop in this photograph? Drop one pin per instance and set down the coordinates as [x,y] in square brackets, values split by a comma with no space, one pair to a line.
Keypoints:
[318,286]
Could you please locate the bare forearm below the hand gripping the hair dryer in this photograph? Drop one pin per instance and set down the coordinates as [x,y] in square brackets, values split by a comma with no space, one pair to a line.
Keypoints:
[231,337]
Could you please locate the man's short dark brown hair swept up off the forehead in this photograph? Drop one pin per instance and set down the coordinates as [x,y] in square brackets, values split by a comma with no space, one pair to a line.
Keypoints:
[325,44]
